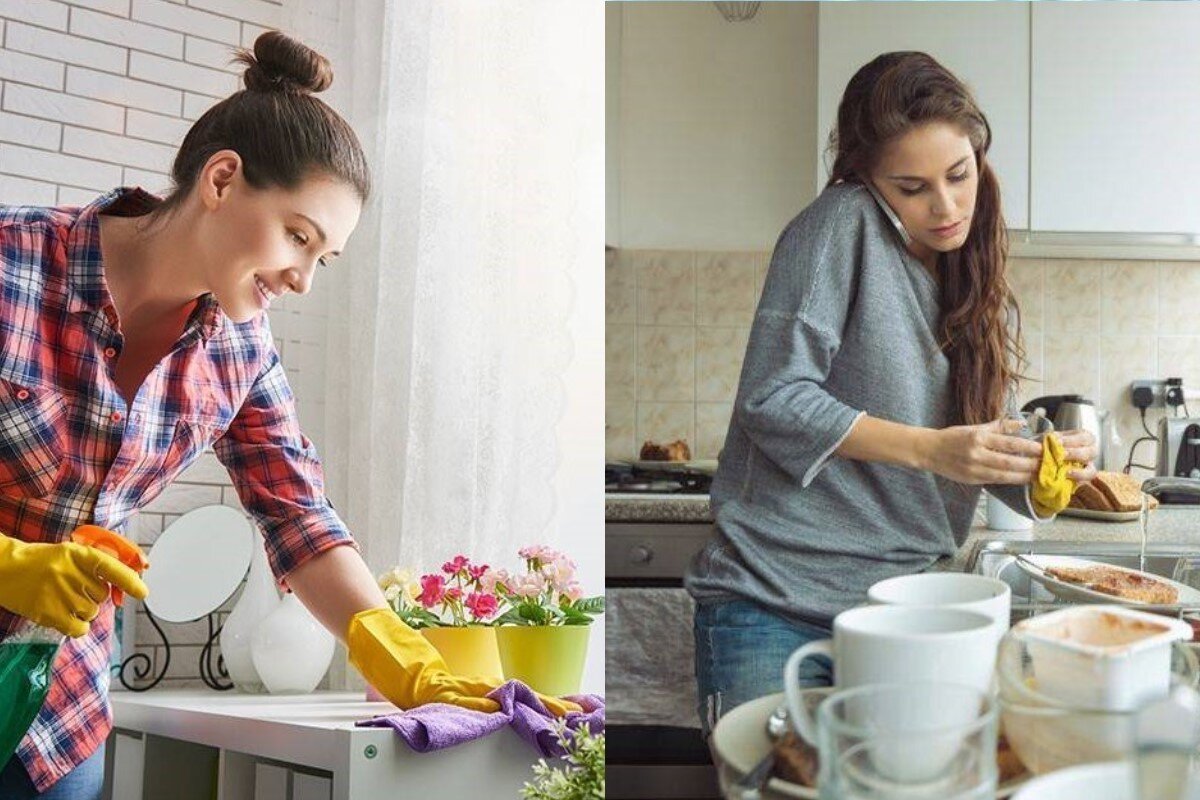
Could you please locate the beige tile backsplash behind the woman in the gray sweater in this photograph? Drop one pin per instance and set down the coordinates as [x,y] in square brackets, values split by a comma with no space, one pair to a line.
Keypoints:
[679,323]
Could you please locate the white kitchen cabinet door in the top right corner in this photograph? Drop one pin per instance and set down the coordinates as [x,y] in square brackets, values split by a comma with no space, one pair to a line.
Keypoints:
[1115,112]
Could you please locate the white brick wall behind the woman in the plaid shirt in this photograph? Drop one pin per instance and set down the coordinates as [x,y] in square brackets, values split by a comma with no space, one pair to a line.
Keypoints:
[97,94]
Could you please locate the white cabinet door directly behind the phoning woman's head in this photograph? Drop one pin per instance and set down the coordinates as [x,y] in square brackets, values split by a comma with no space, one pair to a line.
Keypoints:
[987,45]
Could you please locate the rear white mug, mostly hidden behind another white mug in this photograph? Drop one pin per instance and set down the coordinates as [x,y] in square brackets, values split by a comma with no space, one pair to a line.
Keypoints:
[975,593]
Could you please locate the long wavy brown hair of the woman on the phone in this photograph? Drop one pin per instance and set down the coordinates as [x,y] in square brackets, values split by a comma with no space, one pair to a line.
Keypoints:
[980,330]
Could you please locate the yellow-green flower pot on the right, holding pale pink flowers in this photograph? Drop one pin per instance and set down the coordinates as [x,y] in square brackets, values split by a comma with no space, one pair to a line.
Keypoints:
[548,659]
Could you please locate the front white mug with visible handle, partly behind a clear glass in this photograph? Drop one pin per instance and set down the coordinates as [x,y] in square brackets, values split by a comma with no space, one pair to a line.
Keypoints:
[898,645]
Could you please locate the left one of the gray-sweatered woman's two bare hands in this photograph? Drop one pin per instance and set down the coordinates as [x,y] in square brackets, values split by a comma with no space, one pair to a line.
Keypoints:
[983,454]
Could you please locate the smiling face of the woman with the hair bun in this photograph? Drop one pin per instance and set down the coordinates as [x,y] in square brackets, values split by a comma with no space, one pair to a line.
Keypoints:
[262,244]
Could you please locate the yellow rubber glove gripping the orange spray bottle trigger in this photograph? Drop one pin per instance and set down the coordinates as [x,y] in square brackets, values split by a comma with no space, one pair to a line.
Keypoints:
[61,586]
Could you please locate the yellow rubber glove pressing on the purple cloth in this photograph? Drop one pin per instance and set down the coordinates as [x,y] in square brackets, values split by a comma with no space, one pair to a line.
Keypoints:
[409,671]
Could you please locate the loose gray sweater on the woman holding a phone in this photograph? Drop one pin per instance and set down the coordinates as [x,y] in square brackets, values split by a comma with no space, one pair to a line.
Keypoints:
[848,324]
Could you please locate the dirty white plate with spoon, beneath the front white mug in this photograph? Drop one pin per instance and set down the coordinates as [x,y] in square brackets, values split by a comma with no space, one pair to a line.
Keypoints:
[740,742]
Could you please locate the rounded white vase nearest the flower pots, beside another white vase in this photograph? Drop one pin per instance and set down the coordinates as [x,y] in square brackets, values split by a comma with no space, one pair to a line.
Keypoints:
[292,651]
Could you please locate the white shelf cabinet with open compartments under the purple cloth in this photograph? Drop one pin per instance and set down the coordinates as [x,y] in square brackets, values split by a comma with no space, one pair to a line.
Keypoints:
[200,745]
